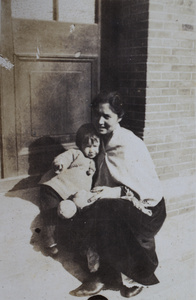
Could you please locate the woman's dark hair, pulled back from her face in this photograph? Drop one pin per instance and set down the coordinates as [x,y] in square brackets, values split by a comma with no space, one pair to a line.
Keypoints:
[113,98]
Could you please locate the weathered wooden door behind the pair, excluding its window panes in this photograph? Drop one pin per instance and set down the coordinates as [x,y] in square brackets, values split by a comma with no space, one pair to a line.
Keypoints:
[54,79]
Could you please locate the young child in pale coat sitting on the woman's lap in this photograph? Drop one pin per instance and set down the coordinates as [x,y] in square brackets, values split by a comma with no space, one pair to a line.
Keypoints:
[70,180]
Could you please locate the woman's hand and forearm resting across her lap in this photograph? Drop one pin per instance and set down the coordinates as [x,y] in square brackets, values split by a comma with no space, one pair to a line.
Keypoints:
[101,192]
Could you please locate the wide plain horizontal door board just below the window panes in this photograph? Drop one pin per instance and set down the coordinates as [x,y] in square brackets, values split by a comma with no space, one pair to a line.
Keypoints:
[55,38]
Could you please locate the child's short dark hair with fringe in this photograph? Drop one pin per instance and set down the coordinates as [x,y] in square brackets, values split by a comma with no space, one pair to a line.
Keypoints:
[86,134]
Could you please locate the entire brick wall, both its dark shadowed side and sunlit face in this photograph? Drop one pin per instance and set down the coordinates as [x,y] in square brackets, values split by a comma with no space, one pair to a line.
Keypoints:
[154,66]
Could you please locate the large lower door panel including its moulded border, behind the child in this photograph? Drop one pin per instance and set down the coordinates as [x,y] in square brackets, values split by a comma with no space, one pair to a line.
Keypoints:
[52,99]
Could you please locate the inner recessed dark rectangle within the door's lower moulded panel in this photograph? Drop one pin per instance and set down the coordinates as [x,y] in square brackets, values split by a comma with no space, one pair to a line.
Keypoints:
[56,96]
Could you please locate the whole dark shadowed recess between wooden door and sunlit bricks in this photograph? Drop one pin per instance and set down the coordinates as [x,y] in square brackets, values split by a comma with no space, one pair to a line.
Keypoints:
[124,56]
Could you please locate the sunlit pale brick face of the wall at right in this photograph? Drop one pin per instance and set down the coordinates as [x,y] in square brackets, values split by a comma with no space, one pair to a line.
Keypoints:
[170,97]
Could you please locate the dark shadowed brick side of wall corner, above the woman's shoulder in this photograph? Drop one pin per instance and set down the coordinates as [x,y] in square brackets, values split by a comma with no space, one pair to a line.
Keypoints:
[132,58]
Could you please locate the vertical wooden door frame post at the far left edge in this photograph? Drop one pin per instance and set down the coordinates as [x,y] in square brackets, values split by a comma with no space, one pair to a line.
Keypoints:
[8,116]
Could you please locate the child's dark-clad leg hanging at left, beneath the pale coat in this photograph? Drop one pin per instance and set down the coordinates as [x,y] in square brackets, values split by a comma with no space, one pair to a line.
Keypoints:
[48,207]
